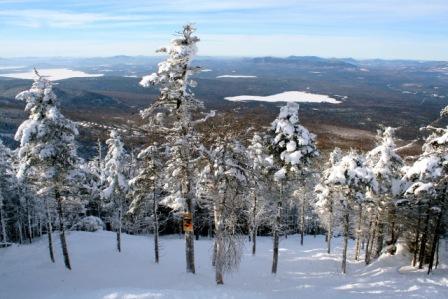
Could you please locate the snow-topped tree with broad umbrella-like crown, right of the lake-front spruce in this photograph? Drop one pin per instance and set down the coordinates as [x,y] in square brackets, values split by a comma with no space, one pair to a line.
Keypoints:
[354,178]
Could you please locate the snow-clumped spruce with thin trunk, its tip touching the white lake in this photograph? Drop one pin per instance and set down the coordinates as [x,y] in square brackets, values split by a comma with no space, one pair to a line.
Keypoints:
[292,147]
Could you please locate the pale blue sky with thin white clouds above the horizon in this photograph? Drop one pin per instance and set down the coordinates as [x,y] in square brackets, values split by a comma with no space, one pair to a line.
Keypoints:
[388,29]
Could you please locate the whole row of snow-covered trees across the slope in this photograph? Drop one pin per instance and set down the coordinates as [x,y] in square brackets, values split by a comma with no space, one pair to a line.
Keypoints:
[272,183]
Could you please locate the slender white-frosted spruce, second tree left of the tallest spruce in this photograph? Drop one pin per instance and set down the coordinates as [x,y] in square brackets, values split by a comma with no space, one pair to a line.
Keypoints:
[116,185]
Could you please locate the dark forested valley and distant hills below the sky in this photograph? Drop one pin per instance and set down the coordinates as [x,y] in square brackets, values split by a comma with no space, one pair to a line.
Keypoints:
[404,94]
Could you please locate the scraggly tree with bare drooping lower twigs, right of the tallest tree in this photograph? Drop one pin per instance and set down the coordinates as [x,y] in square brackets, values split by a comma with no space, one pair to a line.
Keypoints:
[223,188]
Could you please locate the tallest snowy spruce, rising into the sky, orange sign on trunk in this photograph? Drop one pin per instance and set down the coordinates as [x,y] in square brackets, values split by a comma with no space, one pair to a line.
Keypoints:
[171,114]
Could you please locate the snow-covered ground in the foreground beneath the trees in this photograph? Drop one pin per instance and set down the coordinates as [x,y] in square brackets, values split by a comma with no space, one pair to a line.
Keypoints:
[304,272]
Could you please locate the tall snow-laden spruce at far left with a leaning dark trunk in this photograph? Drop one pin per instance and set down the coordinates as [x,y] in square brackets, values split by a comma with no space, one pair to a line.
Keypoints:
[47,154]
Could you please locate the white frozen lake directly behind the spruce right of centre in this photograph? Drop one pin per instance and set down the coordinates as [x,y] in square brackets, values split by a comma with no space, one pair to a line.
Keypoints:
[287,96]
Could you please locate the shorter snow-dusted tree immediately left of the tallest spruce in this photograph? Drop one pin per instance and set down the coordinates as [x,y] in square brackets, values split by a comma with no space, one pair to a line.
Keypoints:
[146,189]
